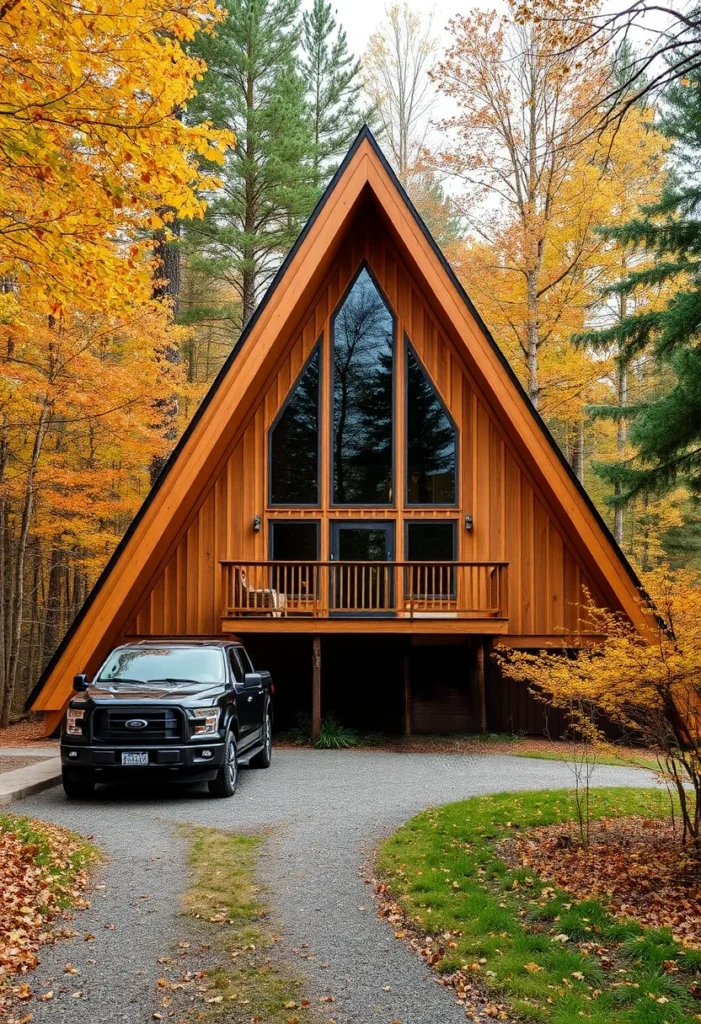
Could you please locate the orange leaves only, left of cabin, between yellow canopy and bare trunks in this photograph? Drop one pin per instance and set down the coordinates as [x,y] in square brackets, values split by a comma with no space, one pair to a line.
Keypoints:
[95,382]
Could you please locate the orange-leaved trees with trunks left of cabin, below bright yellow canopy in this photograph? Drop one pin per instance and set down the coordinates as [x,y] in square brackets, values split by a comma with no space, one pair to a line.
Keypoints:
[80,424]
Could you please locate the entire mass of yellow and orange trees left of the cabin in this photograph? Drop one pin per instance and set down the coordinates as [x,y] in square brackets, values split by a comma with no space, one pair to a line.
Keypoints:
[98,160]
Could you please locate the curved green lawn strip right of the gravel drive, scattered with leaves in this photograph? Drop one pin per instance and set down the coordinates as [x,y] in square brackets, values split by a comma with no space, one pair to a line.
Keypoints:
[524,942]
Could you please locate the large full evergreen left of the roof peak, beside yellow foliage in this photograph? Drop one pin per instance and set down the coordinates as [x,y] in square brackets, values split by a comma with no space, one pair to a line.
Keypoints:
[253,87]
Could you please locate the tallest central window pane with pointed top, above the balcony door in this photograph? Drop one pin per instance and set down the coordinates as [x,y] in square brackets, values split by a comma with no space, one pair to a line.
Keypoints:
[364,333]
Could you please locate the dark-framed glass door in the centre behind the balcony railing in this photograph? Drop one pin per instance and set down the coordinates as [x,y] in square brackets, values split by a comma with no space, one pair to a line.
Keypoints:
[363,581]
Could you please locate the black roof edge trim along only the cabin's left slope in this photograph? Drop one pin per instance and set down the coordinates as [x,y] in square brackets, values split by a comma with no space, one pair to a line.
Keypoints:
[364,134]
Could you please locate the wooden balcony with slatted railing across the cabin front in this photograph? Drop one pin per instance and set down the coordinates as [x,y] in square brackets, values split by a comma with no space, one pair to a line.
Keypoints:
[337,596]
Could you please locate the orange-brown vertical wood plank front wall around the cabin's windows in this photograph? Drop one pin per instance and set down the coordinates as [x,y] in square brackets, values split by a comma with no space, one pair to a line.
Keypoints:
[512,521]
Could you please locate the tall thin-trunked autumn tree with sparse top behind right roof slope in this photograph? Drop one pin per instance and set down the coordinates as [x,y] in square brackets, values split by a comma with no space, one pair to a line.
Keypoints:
[523,154]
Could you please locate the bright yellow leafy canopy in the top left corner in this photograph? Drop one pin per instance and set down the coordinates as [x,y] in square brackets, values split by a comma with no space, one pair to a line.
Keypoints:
[95,154]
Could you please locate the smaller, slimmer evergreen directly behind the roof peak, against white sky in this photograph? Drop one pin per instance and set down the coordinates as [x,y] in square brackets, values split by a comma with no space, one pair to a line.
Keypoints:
[333,79]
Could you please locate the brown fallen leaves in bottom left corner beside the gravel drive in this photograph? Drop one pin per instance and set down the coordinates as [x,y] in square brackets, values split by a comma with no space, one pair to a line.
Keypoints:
[42,873]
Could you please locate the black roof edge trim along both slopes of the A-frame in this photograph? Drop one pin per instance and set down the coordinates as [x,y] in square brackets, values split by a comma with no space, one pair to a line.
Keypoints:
[365,134]
